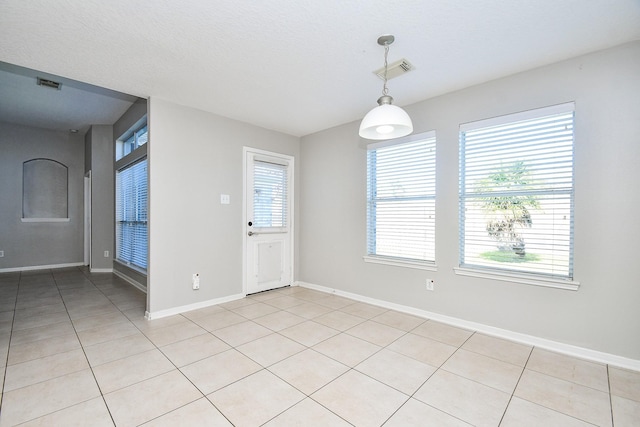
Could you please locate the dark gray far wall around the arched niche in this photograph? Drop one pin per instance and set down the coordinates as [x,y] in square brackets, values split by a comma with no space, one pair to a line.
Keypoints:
[39,243]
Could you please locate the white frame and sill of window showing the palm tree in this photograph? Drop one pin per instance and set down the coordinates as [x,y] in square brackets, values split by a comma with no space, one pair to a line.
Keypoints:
[513,275]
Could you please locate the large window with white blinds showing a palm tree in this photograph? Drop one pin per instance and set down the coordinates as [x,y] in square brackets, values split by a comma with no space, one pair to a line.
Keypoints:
[516,192]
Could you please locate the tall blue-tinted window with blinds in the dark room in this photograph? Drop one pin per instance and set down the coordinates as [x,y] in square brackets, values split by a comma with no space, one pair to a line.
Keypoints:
[131,215]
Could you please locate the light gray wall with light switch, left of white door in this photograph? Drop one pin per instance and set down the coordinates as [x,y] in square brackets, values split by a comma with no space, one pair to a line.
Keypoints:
[194,157]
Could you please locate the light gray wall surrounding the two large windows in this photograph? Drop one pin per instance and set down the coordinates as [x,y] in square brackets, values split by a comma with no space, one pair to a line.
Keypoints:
[603,314]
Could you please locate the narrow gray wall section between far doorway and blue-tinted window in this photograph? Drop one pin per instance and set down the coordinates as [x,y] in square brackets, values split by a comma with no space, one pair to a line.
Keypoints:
[100,139]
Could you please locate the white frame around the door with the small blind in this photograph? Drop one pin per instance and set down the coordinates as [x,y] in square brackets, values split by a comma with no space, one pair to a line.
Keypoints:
[290,159]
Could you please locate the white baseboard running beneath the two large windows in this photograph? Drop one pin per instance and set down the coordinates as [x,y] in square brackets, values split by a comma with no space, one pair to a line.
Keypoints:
[571,350]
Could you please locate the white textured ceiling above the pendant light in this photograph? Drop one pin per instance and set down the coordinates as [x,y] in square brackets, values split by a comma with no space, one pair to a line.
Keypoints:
[300,66]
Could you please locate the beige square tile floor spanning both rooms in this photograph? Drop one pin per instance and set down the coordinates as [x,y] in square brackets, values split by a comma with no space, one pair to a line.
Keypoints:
[76,350]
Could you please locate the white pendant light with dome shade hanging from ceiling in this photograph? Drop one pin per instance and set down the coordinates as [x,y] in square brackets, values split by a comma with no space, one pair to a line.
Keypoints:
[386,121]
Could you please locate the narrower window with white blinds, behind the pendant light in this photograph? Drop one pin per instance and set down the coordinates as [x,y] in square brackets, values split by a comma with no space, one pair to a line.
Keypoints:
[401,187]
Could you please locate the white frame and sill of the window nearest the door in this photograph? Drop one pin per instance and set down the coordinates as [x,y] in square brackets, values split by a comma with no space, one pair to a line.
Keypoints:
[399,261]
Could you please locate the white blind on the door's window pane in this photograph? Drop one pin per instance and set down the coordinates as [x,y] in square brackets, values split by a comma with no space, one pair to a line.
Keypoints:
[270,182]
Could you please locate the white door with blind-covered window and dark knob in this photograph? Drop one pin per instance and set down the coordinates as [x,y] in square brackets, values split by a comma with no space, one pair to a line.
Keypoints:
[268,221]
